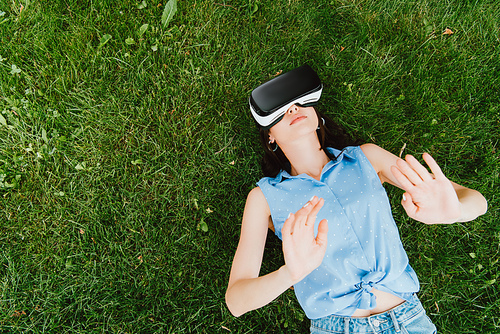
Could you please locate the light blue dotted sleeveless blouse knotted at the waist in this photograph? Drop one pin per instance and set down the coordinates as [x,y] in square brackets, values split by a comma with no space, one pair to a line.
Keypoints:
[364,248]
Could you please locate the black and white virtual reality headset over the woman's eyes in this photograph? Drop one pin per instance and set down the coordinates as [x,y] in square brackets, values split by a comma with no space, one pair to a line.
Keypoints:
[270,101]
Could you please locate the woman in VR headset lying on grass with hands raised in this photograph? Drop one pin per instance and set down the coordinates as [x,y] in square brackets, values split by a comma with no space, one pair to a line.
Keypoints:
[325,201]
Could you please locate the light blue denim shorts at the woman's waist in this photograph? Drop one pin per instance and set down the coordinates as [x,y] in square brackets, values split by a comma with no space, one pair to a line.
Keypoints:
[407,318]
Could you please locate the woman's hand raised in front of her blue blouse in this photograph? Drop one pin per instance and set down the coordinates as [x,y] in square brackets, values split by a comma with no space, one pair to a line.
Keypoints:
[302,251]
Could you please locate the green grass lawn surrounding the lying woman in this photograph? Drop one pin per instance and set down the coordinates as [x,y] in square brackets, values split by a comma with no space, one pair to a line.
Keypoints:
[124,168]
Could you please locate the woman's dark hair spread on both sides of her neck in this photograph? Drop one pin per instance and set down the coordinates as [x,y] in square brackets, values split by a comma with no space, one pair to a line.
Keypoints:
[330,134]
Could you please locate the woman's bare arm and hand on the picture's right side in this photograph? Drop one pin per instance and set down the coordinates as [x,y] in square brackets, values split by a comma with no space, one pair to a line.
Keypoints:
[429,197]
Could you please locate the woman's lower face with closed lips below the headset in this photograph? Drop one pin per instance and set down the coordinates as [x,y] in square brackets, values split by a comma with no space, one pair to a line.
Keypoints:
[297,122]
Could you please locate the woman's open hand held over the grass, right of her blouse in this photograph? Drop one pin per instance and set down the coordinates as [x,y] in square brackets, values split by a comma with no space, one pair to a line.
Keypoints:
[429,198]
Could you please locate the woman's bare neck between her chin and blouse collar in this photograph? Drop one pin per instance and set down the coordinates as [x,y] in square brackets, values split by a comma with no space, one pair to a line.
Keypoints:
[306,156]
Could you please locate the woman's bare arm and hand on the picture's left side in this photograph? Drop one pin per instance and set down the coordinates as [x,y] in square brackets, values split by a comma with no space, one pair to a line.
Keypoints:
[246,290]
